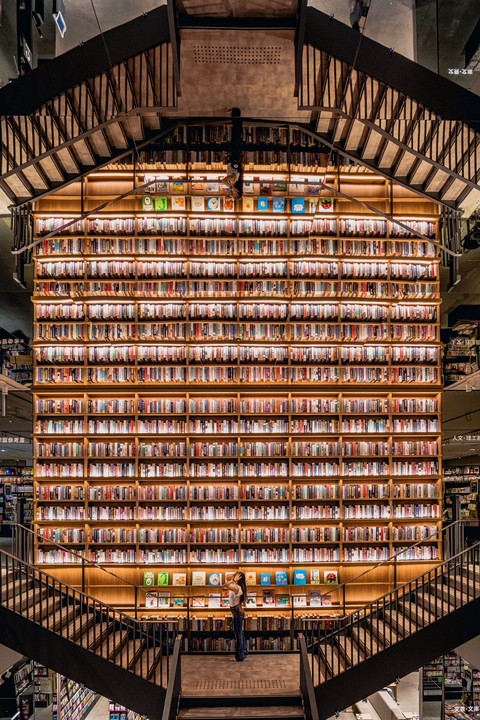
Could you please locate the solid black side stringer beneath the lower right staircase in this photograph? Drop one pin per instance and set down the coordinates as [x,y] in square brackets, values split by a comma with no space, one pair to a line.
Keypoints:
[403,657]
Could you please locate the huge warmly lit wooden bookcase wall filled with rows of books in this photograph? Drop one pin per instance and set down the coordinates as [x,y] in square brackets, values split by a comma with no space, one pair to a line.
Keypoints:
[300,373]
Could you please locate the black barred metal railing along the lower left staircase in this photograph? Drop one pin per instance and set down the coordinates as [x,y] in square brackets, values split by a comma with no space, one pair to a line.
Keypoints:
[143,648]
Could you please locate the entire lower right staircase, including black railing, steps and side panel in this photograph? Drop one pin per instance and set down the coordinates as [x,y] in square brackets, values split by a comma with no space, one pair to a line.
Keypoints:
[396,633]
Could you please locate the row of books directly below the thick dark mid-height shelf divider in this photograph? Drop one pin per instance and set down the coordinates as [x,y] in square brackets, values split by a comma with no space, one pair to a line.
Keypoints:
[235,404]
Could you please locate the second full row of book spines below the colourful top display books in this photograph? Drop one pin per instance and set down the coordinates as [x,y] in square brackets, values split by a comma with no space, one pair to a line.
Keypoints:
[260,245]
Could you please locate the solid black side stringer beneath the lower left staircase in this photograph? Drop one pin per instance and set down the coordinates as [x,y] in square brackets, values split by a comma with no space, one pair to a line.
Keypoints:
[81,665]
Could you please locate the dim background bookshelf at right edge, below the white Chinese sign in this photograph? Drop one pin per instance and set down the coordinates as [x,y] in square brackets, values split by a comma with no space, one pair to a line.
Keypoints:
[461,481]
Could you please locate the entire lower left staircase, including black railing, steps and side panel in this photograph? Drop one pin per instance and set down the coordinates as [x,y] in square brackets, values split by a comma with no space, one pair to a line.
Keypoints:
[83,638]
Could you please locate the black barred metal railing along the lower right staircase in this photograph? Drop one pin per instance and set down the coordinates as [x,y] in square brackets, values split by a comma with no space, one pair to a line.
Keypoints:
[402,611]
